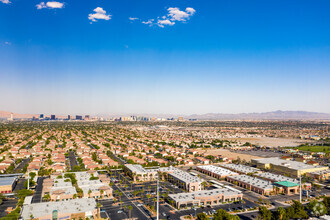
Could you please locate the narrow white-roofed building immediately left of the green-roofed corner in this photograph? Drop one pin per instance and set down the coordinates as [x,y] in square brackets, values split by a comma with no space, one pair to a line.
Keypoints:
[257,185]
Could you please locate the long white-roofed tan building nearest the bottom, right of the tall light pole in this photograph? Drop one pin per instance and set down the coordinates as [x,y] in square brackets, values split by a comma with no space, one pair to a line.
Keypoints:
[204,198]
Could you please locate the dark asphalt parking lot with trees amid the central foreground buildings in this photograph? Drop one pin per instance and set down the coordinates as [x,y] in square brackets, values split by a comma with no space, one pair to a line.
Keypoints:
[149,189]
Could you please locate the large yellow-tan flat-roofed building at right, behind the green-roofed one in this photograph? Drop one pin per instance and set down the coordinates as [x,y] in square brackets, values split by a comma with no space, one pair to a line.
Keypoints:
[293,168]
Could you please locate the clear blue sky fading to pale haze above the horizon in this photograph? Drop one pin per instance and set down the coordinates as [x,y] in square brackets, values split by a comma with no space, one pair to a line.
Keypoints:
[177,57]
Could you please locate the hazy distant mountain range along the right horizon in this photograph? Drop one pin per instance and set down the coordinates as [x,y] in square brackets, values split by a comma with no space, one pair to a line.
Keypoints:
[276,115]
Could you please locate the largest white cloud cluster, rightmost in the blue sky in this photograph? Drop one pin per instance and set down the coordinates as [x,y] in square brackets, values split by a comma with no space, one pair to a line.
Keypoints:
[174,14]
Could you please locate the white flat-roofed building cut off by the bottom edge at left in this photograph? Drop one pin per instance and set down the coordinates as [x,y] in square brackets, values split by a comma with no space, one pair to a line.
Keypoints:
[72,209]
